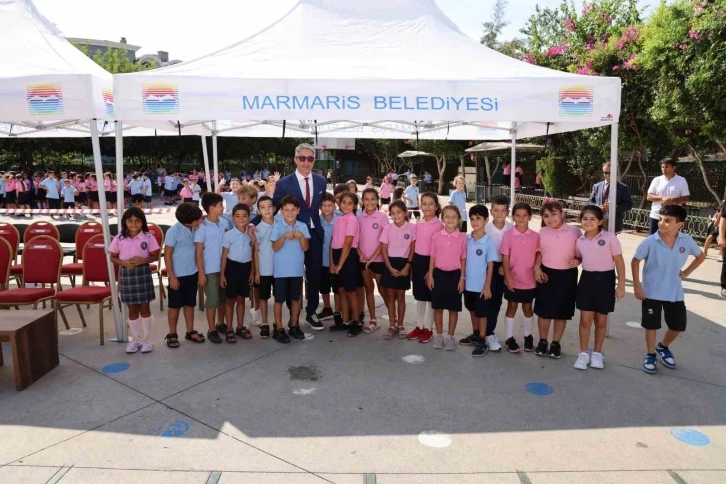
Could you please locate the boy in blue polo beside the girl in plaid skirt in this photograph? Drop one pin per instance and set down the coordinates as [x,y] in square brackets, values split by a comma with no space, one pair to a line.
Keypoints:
[181,264]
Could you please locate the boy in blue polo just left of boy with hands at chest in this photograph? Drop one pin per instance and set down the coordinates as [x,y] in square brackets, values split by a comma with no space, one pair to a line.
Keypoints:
[264,277]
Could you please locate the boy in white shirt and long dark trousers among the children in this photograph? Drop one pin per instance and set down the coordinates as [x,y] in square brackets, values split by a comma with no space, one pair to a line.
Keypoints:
[495,229]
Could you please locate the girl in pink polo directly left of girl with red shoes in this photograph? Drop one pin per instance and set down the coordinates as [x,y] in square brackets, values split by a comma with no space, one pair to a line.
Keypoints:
[397,246]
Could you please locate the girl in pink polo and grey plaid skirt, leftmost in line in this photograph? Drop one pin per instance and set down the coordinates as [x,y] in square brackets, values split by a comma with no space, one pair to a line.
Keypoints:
[133,250]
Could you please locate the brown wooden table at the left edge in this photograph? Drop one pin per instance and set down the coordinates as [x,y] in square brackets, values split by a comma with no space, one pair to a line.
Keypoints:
[33,336]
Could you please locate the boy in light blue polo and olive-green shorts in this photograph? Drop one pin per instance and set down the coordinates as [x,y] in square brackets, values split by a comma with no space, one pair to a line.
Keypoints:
[208,241]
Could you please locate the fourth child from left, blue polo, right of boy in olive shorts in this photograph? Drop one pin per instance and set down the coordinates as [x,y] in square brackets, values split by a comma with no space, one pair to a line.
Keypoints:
[238,270]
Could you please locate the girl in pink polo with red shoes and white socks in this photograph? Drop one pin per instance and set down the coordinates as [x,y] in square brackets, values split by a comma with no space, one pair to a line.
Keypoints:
[425,230]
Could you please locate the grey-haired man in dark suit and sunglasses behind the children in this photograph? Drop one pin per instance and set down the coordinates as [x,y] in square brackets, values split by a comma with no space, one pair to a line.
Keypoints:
[307,187]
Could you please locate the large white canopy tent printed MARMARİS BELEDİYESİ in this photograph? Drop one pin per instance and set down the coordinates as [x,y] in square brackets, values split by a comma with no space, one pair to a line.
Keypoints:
[325,65]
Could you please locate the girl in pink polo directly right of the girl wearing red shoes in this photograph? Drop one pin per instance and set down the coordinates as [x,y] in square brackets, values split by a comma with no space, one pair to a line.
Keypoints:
[446,276]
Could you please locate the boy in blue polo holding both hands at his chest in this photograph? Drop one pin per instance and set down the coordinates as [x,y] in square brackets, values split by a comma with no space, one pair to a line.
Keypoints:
[290,240]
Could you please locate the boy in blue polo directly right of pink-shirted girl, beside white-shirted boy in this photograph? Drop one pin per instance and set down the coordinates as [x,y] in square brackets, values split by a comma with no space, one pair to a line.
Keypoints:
[481,254]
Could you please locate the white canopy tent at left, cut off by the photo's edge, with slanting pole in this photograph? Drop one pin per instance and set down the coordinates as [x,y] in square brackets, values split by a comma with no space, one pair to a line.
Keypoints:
[46,84]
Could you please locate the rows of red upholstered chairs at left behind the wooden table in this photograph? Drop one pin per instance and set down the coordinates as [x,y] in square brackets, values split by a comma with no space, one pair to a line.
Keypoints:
[42,264]
